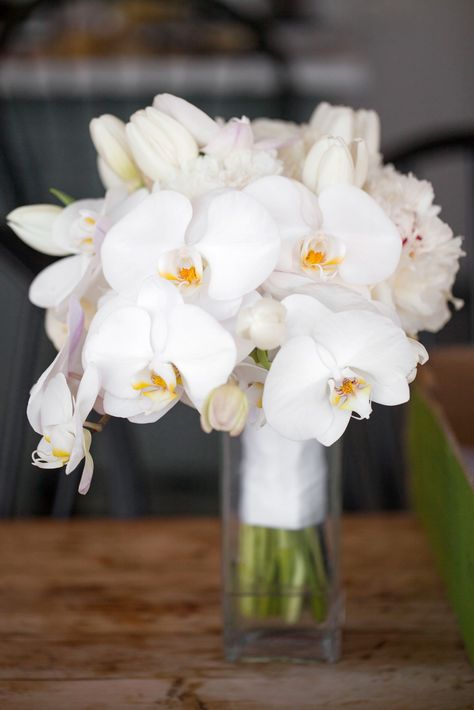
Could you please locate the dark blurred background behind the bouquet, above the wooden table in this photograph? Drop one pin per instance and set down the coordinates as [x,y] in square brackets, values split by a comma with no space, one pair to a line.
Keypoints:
[62,63]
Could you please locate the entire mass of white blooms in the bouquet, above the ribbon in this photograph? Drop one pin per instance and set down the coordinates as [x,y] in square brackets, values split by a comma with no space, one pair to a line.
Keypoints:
[257,271]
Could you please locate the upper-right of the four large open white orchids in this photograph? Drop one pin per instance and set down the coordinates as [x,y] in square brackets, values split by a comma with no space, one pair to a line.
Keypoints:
[343,233]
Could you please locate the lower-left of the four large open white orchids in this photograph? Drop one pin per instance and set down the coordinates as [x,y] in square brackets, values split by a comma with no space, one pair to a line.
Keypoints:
[147,351]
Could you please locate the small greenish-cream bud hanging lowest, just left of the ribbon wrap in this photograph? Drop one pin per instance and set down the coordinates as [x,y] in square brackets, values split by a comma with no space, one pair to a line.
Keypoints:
[225,409]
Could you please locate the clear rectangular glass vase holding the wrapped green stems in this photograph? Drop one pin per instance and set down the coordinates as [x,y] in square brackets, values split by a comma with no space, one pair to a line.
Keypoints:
[281,509]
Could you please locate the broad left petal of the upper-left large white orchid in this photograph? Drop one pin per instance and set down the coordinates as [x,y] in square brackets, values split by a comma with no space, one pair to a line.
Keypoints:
[156,225]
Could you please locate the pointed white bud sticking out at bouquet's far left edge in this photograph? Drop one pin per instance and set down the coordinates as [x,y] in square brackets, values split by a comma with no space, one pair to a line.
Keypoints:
[34,225]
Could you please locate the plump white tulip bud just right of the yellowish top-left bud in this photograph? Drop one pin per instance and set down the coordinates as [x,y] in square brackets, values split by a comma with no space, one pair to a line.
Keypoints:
[159,143]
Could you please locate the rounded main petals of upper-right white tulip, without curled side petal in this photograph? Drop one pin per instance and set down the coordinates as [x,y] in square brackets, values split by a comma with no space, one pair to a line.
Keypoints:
[329,162]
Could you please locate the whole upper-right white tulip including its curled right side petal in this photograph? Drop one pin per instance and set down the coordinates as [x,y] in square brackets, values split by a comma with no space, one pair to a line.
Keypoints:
[333,162]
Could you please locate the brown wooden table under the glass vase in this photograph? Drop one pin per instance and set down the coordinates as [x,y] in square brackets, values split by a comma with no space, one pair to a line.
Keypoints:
[115,614]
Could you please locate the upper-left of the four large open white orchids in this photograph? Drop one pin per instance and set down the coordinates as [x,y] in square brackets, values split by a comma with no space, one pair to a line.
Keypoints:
[225,244]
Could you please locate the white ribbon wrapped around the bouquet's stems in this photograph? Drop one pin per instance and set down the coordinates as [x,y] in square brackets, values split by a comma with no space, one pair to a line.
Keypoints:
[283,482]
